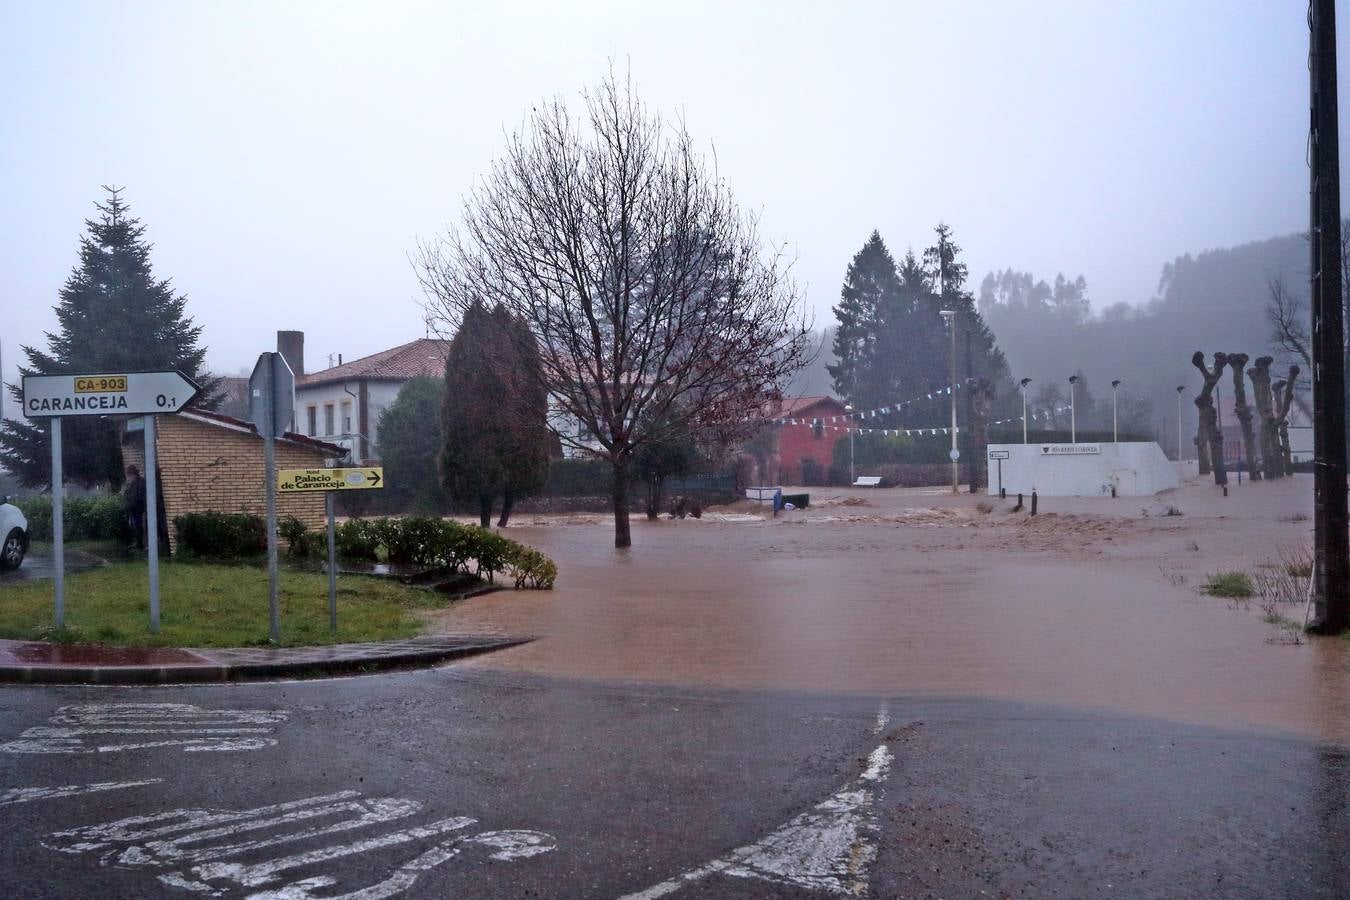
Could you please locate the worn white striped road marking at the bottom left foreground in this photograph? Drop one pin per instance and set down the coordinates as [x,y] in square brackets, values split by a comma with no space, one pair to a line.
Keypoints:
[205,851]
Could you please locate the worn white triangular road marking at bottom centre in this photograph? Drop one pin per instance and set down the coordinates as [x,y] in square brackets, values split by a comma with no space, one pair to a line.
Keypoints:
[827,849]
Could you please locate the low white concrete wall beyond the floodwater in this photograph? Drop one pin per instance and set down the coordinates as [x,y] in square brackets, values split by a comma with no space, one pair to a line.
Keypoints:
[1136,469]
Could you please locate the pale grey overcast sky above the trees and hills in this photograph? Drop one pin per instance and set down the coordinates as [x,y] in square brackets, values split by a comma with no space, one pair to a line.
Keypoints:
[287,157]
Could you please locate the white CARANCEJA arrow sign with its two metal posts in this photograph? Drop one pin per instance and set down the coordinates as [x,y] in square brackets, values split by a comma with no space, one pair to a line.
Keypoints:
[105,395]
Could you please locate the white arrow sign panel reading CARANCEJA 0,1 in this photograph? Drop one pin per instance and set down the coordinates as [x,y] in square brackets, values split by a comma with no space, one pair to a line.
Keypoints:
[107,395]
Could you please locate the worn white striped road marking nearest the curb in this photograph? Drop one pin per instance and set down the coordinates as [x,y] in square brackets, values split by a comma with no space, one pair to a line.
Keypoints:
[109,728]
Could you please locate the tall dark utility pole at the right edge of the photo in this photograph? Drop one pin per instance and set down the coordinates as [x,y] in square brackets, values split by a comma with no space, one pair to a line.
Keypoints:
[1332,520]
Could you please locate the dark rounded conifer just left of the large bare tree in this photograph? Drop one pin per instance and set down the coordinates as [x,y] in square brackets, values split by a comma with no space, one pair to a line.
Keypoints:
[495,434]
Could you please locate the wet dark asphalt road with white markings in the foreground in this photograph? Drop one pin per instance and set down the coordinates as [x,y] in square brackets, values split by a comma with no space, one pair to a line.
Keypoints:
[604,791]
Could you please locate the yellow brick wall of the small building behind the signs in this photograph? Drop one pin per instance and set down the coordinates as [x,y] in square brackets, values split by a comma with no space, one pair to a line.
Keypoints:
[214,469]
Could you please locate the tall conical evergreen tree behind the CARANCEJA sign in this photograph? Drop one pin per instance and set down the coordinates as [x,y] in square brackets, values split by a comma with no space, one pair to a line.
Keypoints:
[114,316]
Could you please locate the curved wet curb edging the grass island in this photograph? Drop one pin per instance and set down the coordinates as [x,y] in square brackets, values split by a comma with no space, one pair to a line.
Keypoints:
[354,665]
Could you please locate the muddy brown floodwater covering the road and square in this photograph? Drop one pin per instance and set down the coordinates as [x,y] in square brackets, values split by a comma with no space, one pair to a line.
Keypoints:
[1093,604]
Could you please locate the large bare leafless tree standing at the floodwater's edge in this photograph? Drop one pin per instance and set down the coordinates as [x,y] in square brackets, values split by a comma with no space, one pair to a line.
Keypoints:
[651,298]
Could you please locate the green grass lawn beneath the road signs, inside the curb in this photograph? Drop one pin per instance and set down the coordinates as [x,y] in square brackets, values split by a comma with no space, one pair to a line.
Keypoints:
[203,605]
